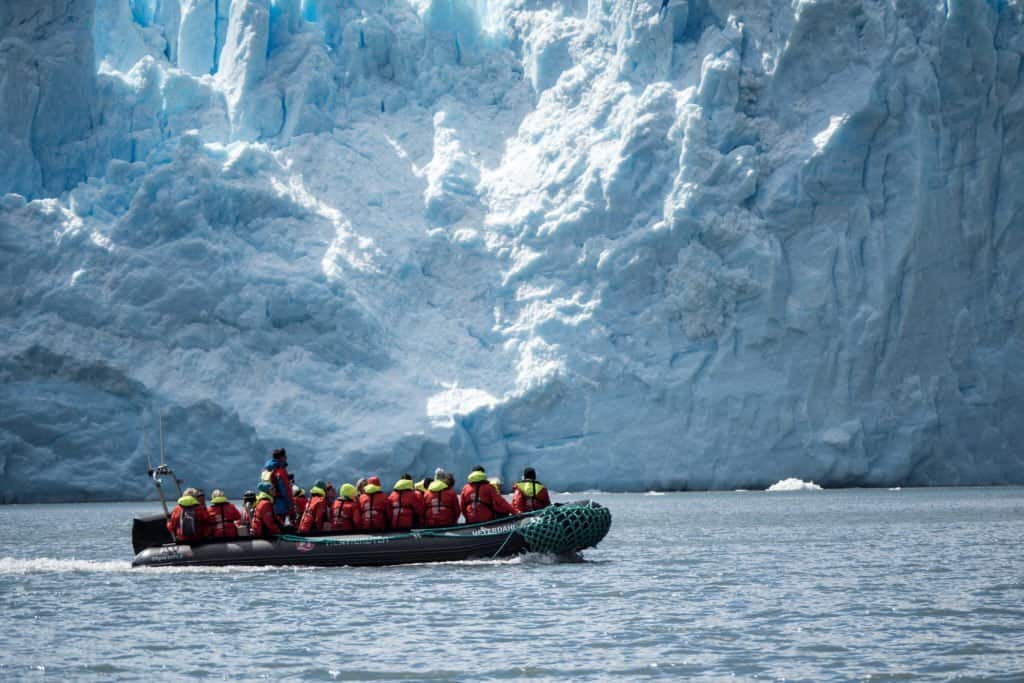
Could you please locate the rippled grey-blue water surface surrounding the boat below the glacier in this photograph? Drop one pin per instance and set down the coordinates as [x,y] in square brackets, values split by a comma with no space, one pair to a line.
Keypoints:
[881,585]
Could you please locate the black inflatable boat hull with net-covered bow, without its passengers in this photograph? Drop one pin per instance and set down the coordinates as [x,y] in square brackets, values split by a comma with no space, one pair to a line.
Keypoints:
[562,530]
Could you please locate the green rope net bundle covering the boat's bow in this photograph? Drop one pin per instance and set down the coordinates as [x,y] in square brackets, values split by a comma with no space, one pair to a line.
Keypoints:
[568,529]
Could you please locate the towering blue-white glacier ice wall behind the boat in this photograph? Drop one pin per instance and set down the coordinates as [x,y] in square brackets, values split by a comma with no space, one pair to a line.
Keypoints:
[636,244]
